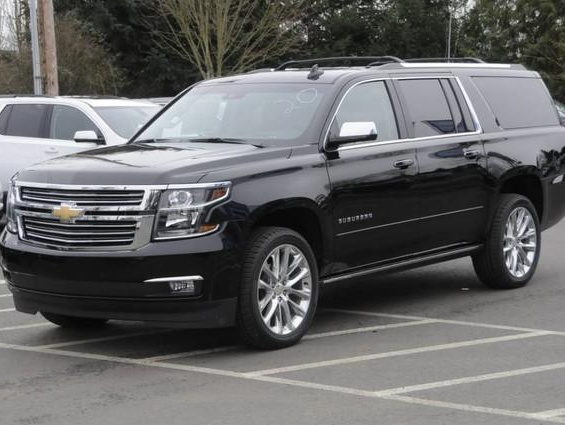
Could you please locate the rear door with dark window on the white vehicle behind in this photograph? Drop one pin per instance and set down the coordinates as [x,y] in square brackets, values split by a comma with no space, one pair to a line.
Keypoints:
[23,132]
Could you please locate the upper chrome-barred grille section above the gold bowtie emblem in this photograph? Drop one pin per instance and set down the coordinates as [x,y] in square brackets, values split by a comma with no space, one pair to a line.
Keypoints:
[88,197]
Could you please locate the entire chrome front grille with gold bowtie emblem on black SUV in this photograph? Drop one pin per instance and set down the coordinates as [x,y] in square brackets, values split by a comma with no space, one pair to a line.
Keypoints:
[104,218]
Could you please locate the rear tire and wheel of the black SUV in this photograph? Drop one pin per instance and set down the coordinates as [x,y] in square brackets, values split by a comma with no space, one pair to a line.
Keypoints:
[495,264]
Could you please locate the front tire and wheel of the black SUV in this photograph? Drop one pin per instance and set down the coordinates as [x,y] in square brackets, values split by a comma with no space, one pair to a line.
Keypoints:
[275,313]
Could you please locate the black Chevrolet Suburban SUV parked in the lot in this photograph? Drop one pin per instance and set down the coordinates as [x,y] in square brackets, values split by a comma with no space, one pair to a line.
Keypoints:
[247,194]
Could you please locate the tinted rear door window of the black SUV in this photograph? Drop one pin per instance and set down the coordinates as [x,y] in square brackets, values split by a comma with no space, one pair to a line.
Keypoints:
[428,108]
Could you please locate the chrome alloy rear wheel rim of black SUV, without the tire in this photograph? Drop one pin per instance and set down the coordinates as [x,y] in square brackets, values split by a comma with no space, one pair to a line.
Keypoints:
[520,242]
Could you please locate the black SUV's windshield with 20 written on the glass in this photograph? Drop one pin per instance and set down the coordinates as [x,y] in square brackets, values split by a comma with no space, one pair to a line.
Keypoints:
[251,112]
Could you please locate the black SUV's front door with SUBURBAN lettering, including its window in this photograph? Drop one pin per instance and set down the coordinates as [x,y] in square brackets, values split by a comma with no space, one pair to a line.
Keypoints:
[375,210]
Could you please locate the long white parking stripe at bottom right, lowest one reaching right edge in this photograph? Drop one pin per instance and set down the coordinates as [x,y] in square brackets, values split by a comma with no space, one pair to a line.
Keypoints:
[471,379]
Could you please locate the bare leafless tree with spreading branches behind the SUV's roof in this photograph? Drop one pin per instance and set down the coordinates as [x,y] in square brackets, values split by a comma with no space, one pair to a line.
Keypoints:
[224,36]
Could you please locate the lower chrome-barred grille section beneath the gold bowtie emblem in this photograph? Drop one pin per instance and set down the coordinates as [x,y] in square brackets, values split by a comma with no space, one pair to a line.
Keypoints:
[82,233]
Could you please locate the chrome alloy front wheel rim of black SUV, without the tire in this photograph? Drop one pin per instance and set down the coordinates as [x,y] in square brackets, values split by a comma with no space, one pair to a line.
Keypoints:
[284,289]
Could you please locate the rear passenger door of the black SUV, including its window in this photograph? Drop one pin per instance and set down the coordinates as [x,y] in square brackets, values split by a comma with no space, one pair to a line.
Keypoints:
[452,184]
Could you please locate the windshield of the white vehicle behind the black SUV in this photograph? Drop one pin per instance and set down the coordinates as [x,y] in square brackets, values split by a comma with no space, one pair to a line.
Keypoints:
[125,121]
